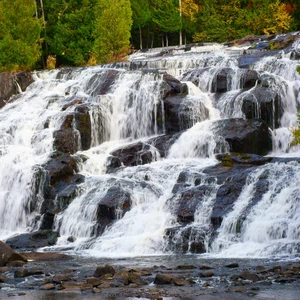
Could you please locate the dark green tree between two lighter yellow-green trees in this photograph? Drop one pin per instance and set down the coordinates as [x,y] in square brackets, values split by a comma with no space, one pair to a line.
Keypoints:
[69,30]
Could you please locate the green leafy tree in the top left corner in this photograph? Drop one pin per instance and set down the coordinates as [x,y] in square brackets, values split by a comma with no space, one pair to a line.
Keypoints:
[19,35]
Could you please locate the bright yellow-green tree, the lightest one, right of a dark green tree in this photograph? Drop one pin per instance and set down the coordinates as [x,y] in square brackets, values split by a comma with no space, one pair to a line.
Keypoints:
[112,30]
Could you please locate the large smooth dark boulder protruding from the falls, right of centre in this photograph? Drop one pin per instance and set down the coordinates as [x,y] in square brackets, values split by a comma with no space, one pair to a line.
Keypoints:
[245,136]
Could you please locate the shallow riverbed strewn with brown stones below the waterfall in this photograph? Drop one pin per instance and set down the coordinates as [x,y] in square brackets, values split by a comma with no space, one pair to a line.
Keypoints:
[52,275]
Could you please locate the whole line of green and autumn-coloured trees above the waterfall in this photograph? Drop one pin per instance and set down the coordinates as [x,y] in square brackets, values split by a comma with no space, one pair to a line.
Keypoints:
[51,33]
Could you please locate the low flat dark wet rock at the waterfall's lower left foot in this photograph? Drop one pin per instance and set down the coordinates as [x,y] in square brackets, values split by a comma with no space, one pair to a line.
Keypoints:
[34,240]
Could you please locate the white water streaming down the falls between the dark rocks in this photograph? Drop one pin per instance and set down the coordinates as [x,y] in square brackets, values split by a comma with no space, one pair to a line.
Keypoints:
[125,113]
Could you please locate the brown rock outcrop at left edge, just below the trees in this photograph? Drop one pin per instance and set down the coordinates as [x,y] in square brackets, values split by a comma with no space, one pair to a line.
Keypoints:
[10,84]
